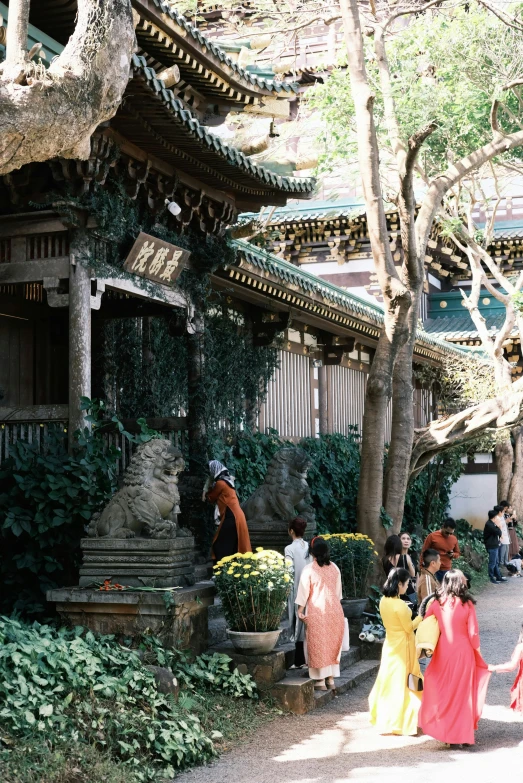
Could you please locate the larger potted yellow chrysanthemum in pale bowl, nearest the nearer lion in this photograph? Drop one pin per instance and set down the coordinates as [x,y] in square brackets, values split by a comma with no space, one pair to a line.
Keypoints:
[253,588]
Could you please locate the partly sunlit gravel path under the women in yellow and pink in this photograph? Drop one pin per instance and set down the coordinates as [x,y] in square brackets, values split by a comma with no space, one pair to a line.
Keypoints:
[336,744]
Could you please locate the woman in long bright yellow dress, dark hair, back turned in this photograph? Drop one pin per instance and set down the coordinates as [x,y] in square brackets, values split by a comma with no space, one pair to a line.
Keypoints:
[393,707]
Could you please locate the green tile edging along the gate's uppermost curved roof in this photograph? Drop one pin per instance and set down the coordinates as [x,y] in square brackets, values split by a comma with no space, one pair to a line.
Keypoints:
[207,46]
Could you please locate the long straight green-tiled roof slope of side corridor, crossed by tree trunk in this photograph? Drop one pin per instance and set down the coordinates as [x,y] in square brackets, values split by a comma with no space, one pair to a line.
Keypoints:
[298,278]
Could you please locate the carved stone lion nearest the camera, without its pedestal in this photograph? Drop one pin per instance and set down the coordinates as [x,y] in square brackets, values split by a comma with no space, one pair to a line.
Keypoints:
[148,504]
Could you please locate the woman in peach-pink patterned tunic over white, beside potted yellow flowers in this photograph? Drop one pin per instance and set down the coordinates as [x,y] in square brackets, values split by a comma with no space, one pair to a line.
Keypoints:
[318,598]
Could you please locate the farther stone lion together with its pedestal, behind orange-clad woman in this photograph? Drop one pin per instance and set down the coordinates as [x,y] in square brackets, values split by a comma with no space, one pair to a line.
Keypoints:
[283,494]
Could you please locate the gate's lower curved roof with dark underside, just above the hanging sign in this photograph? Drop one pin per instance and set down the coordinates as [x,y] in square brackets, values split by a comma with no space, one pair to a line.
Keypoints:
[158,122]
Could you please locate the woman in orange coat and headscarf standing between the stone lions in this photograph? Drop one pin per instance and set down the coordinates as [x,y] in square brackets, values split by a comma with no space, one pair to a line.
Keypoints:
[232,535]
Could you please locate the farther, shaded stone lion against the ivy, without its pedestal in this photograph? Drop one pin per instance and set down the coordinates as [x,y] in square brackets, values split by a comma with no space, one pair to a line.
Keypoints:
[284,491]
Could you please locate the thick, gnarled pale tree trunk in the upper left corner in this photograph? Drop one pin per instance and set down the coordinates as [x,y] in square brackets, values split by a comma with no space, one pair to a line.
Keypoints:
[53,113]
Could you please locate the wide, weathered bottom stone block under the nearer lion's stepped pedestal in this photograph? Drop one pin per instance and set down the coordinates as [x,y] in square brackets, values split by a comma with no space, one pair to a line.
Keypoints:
[183,624]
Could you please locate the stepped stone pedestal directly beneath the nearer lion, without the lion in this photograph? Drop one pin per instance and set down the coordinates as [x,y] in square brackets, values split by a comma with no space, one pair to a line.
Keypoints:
[139,562]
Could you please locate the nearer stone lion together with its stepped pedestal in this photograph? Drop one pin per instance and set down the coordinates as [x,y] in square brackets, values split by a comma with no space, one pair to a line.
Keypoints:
[136,540]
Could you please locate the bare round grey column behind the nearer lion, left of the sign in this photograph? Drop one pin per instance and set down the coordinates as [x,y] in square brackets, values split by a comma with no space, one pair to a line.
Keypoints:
[79,329]
